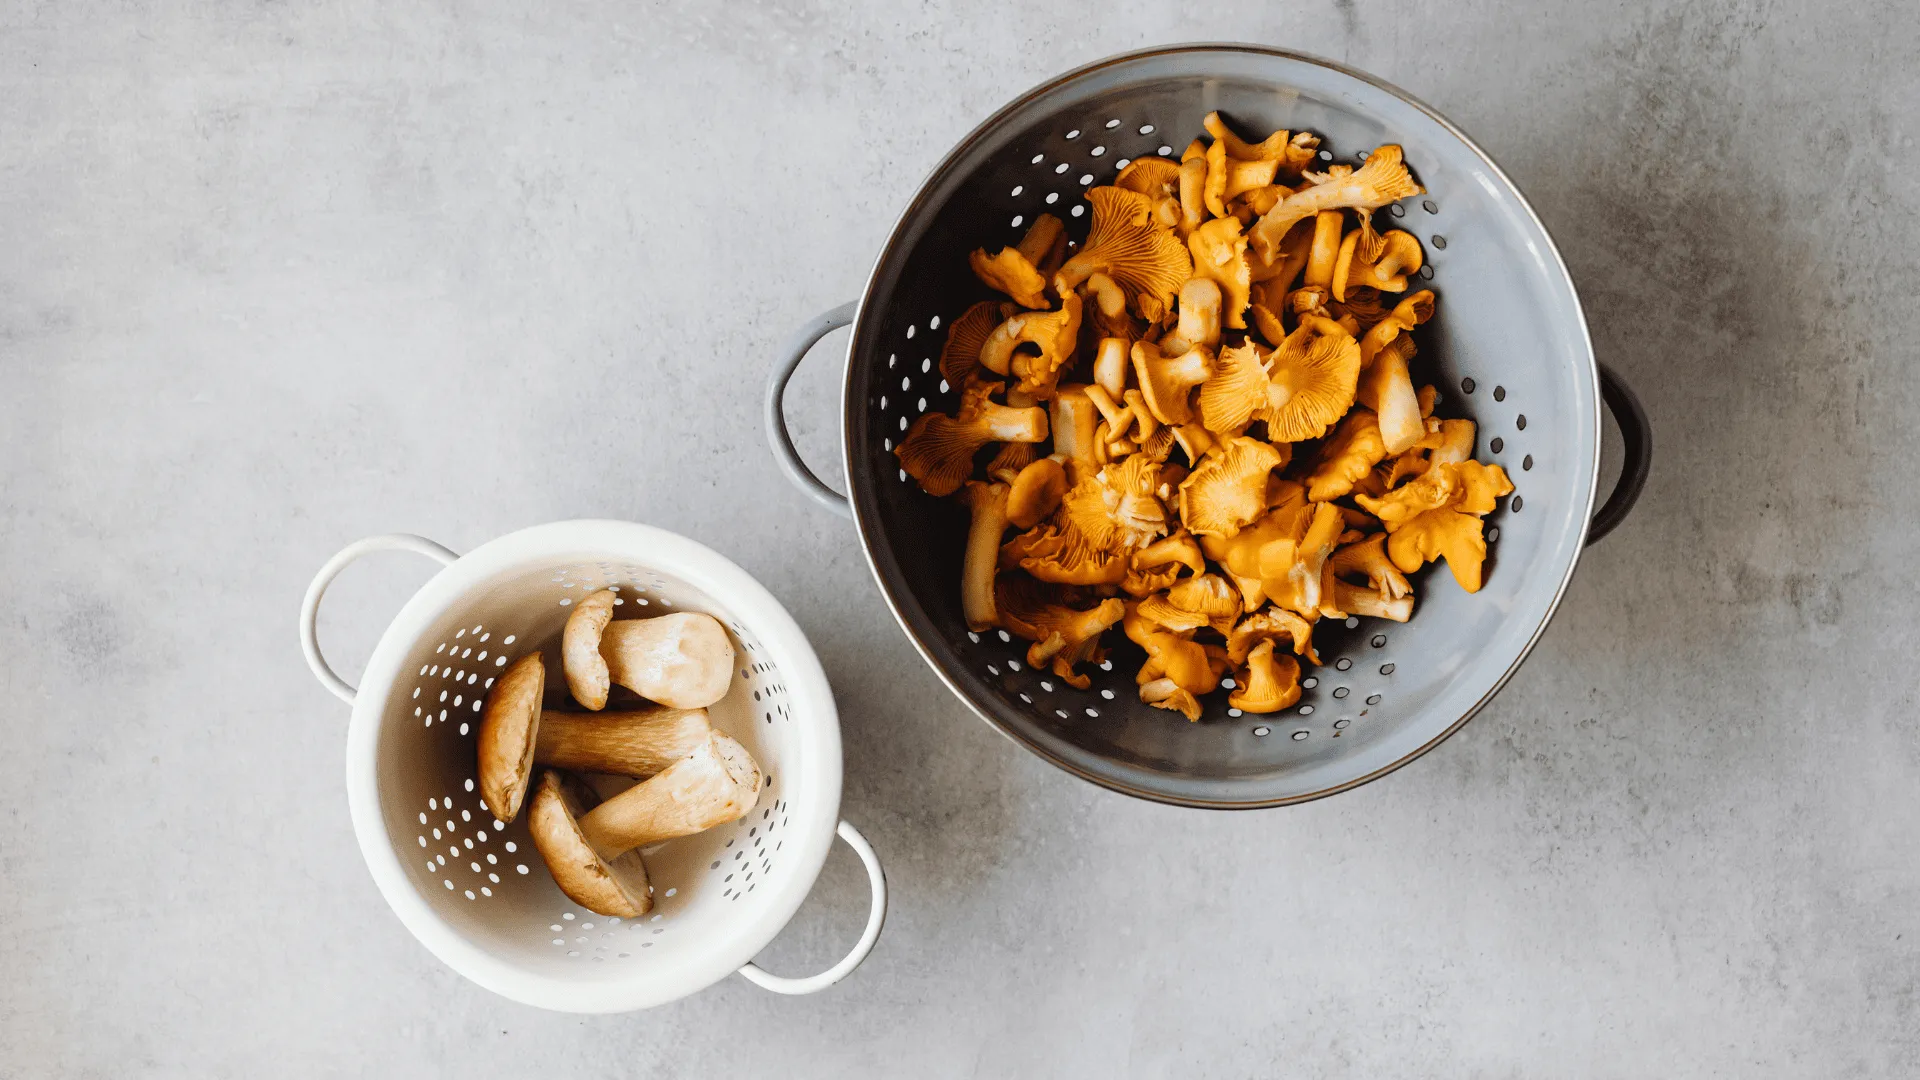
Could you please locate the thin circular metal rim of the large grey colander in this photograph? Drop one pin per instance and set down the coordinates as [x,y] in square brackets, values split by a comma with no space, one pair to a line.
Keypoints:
[917,207]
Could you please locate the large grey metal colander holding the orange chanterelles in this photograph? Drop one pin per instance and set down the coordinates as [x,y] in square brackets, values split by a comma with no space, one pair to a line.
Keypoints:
[1508,349]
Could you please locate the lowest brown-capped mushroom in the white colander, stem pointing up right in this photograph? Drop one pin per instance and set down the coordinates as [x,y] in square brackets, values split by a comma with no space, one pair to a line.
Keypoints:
[594,856]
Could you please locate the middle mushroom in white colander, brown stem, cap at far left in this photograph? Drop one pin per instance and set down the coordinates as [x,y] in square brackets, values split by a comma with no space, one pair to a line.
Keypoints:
[516,735]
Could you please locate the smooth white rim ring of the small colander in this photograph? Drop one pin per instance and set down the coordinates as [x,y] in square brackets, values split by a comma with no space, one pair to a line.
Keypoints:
[821,768]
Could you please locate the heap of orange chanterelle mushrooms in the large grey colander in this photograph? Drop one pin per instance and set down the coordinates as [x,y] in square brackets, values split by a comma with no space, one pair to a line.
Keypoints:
[1237,443]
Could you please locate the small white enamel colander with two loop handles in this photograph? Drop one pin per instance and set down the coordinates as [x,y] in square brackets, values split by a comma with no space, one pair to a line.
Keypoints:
[473,891]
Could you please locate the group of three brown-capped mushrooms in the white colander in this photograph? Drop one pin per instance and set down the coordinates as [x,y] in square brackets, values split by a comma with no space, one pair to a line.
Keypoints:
[692,777]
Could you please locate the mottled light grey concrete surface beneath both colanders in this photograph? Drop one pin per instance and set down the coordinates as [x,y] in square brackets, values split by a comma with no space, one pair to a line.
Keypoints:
[279,276]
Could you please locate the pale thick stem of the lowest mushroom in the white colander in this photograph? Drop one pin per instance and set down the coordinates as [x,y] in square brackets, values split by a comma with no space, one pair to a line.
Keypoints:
[715,785]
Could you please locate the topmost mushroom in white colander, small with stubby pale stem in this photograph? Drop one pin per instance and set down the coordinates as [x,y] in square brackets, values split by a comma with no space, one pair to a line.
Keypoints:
[681,660]
